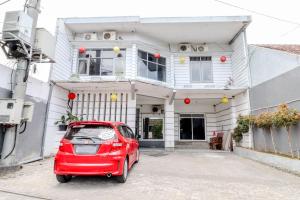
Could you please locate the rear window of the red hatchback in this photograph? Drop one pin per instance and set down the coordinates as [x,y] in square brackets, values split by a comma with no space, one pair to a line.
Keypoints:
[102,132]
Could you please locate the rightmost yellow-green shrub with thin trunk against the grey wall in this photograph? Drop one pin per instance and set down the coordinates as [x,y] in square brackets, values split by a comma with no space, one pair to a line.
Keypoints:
[285,117]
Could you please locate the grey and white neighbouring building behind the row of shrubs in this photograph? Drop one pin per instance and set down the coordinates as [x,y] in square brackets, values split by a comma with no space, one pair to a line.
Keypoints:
[275,79]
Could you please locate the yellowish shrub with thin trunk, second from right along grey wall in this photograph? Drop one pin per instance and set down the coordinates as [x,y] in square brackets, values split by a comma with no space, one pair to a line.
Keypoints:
[265,121]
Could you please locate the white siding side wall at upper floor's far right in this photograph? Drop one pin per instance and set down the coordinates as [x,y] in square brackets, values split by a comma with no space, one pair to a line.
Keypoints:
[240,69]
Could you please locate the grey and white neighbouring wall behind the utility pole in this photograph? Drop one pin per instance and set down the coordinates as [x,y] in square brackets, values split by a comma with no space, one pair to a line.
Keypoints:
[31,141]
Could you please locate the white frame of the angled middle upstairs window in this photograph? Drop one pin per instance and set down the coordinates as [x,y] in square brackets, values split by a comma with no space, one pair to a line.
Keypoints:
[156,62]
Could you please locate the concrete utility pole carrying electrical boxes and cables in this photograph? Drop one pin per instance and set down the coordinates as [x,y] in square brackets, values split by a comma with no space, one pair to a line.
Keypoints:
[10,145]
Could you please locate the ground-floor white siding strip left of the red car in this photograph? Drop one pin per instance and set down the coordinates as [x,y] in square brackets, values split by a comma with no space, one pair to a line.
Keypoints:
[57,108]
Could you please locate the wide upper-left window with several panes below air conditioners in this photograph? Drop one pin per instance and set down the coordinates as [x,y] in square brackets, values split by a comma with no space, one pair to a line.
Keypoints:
[104,62]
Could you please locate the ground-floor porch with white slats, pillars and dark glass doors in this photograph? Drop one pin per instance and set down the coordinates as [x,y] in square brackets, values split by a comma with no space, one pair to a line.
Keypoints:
[158,114]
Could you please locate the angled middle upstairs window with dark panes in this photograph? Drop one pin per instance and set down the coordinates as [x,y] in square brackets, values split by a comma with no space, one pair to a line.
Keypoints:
[151,67]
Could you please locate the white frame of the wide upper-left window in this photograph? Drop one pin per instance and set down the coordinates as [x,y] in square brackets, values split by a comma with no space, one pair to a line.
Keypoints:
[88,61]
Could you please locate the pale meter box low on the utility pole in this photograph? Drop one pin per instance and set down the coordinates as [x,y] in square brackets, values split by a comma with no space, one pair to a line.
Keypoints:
[11,111]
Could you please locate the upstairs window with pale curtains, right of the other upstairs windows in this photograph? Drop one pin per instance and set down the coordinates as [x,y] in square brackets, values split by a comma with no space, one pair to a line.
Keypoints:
[201,69]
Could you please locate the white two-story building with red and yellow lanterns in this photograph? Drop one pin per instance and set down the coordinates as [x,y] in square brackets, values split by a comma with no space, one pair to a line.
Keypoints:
[169,79]
